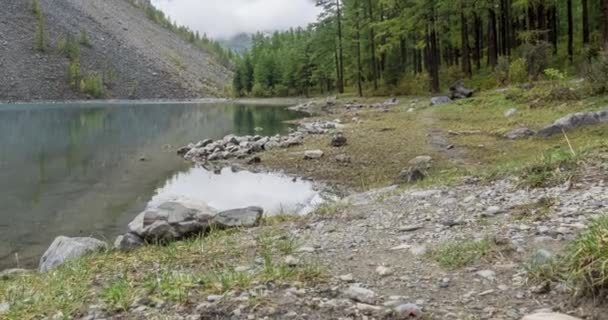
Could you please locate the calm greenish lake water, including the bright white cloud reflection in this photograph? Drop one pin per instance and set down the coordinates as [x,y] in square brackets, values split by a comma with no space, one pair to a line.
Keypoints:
[75,169]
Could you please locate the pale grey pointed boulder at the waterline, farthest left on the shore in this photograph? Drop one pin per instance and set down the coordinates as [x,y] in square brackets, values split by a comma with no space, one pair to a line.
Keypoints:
[64,248]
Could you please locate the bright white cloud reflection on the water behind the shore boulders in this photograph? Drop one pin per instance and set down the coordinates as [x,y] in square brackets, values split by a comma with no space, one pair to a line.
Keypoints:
[274,192]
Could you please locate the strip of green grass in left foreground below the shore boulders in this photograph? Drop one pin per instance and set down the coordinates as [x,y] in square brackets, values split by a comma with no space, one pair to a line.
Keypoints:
[181,273]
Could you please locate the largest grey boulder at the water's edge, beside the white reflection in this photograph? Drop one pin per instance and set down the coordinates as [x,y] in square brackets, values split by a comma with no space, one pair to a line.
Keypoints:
[172,220]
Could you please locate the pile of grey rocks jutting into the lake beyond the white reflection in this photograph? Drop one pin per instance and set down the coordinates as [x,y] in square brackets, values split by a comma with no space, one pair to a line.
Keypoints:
[245,147]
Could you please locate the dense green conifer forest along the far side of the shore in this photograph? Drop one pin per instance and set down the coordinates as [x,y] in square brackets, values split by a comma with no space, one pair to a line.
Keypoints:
[416,46]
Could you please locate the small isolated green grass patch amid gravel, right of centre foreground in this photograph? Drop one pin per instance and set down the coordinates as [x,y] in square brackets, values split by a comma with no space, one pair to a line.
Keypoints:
[463,253]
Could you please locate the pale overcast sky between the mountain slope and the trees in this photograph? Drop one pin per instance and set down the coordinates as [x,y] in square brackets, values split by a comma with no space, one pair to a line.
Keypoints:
[224,18]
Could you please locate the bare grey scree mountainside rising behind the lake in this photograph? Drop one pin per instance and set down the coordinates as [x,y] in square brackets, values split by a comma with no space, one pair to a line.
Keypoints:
[143,59]
